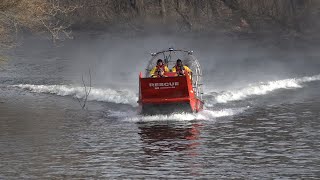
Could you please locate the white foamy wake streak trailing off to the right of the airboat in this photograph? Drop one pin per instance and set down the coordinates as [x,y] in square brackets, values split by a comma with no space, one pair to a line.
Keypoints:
[260,89]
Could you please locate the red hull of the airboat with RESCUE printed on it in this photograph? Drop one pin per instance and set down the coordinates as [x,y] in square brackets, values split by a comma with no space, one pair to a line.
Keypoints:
[167,95]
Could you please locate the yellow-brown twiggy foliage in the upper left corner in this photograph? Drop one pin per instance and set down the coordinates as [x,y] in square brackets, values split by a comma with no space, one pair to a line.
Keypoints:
[37,16]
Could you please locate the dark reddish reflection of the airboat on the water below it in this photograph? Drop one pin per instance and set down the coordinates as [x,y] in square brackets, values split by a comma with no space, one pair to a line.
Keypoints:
[159,138]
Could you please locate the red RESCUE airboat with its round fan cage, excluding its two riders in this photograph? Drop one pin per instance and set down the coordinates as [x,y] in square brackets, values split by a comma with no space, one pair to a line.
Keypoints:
[171,93]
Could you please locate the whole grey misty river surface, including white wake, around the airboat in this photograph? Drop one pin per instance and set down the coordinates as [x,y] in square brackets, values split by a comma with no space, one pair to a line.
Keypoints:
[262,118]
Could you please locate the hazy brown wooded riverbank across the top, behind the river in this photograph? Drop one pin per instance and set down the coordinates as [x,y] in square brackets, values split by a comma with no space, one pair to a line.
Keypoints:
[57,18]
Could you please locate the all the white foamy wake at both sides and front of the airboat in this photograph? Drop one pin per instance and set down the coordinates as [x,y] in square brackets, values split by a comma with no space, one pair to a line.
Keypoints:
[130,98]
